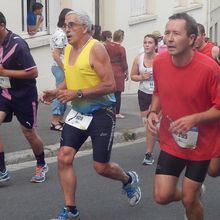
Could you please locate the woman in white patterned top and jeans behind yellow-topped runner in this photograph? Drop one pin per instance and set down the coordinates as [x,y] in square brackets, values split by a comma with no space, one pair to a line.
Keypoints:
[58,42]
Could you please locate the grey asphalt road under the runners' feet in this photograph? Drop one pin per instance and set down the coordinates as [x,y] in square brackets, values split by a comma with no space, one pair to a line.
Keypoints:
[98,198]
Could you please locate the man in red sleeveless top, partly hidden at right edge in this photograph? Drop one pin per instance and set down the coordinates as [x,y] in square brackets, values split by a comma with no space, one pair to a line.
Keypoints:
[204,47]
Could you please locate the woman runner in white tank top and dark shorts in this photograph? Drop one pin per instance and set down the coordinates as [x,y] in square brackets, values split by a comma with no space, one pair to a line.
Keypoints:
[142,72]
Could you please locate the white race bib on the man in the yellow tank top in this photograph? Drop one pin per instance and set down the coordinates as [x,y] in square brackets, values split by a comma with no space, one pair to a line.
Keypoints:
[78,120]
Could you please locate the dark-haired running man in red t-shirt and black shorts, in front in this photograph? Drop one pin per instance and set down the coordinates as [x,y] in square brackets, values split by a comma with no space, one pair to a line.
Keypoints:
[188,95]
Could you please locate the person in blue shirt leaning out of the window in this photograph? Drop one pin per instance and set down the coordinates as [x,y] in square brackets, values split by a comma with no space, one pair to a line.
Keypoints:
[34,18]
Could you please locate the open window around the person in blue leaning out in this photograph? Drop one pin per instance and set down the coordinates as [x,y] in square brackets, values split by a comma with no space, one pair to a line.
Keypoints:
[27,6]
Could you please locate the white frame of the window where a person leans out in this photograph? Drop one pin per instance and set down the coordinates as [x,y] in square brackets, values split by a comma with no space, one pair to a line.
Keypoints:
[44,29]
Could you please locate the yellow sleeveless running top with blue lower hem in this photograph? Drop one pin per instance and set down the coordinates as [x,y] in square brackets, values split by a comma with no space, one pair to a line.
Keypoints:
[81,75]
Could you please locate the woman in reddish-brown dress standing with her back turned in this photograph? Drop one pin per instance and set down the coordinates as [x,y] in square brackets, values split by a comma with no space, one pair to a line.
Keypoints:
[119,64]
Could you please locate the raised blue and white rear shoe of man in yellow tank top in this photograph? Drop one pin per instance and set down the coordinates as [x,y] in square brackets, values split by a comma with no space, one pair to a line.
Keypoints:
[132,189]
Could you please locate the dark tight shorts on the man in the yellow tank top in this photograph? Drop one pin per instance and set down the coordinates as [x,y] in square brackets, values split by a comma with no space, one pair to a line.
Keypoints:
[101,131]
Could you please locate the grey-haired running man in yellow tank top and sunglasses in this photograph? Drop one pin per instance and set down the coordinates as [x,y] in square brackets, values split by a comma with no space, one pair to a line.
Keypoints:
[89,84]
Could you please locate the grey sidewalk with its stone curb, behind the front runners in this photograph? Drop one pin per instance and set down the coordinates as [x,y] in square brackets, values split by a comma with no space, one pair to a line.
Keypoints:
[17,149]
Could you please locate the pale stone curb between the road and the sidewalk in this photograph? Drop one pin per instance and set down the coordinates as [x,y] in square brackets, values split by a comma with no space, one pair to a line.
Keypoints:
[51,150]
